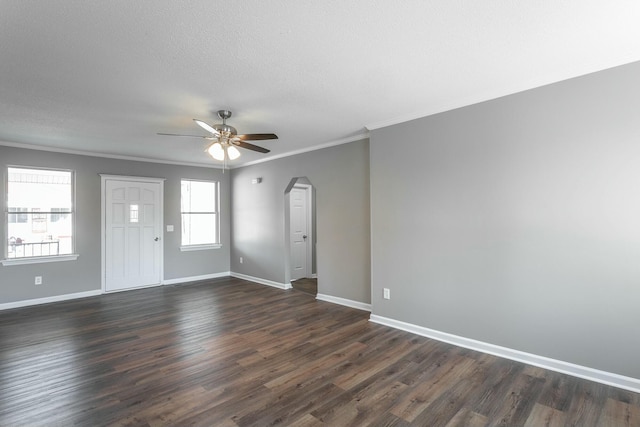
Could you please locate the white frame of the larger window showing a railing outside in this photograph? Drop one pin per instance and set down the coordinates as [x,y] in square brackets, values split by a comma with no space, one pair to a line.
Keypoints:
[6,261]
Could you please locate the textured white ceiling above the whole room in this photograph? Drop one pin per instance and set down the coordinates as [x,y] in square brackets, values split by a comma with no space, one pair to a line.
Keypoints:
[106,76]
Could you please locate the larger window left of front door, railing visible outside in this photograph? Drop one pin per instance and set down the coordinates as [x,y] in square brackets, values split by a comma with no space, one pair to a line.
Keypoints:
[39,217]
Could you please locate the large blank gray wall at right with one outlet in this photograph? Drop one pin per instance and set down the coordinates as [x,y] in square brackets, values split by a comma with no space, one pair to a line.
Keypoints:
[517,221]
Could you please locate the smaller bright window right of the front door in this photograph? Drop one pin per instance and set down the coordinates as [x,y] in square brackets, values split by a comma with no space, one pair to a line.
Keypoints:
[199,211]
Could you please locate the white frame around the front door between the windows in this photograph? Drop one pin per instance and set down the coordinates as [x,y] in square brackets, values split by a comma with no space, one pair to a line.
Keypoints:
[103,220]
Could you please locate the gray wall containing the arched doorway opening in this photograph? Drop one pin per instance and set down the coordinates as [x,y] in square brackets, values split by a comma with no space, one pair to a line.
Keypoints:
[340,176]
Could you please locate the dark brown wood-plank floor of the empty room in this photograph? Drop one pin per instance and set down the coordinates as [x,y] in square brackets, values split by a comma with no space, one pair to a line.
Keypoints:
[232,353]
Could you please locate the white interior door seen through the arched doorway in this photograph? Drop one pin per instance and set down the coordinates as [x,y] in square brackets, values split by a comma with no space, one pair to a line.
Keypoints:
[298,232]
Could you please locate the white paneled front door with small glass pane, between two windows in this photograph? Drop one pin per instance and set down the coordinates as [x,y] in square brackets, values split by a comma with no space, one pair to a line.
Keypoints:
[132,234]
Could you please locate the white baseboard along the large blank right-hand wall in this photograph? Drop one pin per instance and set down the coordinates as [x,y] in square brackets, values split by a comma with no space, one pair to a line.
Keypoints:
[608,378]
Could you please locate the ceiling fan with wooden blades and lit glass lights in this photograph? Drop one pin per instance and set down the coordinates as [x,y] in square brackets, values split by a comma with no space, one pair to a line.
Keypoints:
[225,138]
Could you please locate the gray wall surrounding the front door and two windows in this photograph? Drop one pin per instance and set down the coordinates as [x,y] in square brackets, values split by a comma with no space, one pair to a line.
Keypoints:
[60,278]
